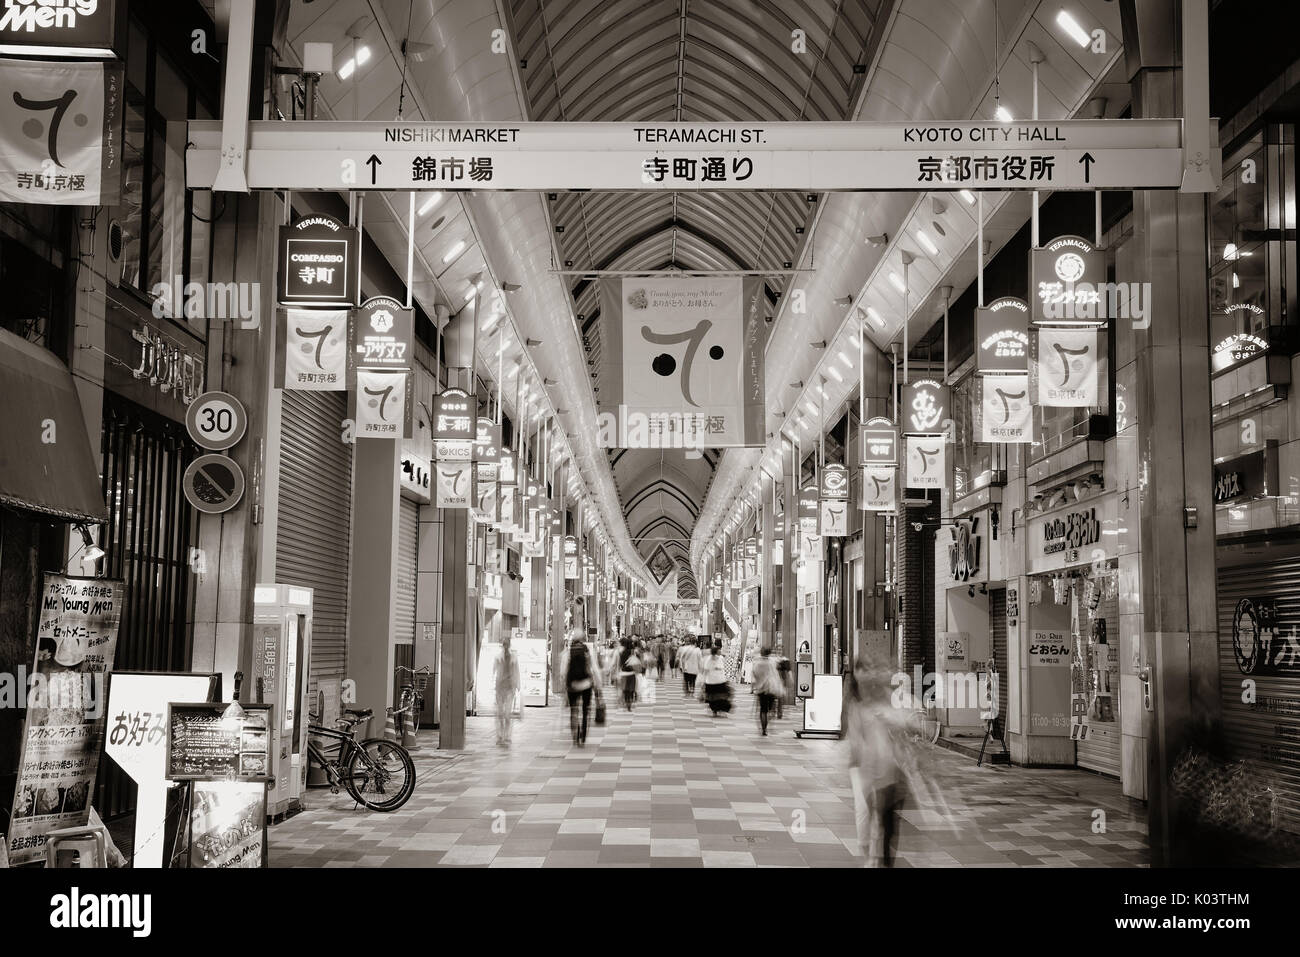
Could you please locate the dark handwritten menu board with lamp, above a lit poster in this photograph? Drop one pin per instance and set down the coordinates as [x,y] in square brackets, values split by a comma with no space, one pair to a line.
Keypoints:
[207,744]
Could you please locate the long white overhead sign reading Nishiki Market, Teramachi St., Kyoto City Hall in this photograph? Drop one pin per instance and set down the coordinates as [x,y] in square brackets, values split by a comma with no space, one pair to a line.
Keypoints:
[1045,155]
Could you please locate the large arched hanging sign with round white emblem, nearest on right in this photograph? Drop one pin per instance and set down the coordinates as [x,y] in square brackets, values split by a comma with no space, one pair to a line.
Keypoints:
[1068,282]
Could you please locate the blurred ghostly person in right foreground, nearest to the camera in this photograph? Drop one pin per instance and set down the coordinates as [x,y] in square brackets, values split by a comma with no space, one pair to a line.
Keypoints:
[876,739]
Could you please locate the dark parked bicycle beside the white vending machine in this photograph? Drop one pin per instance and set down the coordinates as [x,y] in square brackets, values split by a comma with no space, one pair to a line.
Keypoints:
[376,773]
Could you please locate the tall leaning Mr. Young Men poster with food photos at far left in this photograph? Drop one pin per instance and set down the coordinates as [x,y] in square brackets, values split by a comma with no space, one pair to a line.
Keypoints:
[64,734]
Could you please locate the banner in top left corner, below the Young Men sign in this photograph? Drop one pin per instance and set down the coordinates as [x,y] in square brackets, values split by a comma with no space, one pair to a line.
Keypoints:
[66,128]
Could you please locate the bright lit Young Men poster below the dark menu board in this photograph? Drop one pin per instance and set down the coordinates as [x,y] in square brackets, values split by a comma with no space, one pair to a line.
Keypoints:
[228,825]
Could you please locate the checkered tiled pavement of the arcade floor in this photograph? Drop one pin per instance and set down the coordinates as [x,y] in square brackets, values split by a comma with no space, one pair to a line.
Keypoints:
[671,787]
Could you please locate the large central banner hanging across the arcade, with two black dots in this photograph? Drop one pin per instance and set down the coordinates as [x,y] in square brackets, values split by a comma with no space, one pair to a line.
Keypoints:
[684,363]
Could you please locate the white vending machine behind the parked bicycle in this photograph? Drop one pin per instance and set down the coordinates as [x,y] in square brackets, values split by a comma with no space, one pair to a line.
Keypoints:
[279,669]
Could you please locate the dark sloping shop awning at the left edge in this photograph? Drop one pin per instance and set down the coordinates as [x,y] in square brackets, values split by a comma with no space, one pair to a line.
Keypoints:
[46,462]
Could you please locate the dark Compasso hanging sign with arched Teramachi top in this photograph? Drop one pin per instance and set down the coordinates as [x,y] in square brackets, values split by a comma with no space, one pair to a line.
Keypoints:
[318,263]
